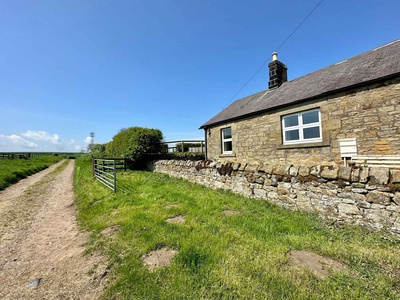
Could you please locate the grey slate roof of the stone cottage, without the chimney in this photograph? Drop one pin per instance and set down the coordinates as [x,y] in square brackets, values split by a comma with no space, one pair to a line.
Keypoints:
[377,64]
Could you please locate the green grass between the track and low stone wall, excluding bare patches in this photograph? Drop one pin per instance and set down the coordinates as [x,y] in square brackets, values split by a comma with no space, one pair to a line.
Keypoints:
[241,256]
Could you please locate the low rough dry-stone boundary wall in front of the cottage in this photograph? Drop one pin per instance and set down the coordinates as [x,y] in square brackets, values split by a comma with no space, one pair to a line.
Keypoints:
[365,196]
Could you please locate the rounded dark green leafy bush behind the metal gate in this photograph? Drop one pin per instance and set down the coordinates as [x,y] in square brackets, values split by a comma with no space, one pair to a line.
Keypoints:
[135,143]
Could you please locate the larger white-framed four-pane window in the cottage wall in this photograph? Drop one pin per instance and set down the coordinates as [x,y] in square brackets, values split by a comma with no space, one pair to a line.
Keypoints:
[302,127]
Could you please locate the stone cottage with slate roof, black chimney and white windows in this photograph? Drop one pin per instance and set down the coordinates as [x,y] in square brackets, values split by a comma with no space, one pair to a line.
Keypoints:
[305,121]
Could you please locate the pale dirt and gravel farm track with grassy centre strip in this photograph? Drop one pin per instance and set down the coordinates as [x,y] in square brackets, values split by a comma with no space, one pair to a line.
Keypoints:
[41,245]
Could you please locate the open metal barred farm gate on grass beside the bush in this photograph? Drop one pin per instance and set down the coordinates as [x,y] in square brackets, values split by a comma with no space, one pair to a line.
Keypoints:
[105,170]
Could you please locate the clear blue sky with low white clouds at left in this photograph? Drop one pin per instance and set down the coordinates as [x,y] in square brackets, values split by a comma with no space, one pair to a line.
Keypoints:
[69,68]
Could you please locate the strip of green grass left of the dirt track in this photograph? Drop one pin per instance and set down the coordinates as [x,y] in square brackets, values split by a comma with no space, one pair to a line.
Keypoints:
[13,170]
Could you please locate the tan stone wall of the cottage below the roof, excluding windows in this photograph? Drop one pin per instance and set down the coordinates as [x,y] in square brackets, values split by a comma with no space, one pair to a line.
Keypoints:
[371,114]
